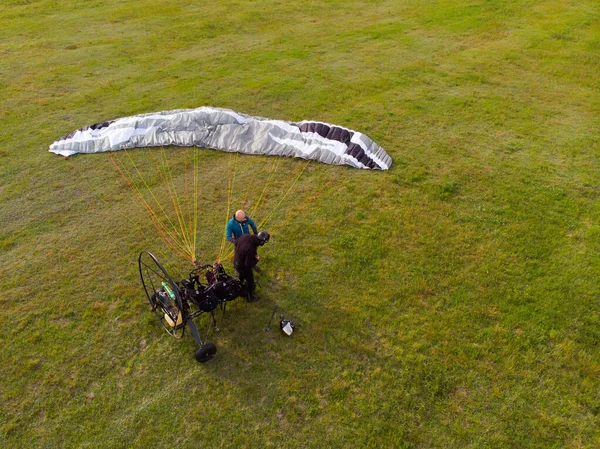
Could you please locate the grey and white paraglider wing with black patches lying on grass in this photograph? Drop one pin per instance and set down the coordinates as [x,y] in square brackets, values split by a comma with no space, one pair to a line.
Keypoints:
[227,130]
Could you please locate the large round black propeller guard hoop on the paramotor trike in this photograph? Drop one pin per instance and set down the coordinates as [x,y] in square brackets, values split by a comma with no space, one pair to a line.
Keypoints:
[163,294]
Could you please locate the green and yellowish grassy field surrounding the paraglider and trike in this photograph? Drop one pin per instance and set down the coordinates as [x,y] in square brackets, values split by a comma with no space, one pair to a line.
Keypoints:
[450,302]
